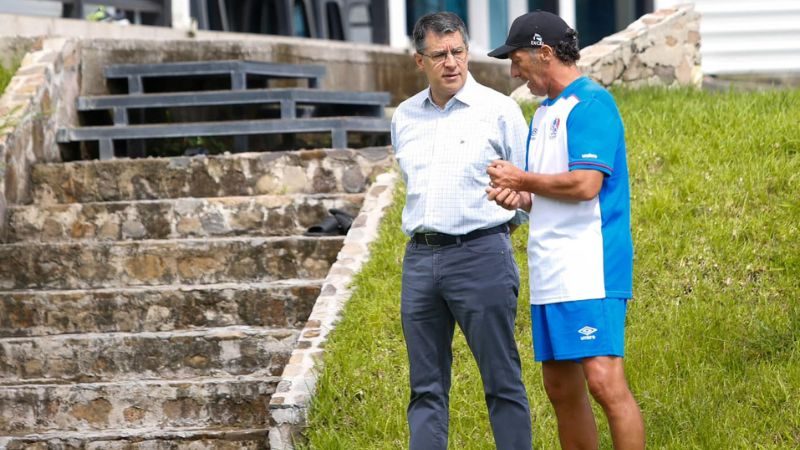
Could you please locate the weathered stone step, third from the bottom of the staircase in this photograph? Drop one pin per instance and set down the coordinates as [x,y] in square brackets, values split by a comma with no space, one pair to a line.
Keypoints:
[93,357]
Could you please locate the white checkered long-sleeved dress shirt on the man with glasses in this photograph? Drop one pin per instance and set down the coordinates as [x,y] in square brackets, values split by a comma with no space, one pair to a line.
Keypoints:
[444,152]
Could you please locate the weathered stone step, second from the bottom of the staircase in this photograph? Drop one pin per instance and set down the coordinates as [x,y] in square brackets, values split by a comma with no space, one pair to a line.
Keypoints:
[201,402]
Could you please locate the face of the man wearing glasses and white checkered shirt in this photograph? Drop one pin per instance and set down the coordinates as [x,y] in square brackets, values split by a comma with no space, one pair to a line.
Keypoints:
[445,64]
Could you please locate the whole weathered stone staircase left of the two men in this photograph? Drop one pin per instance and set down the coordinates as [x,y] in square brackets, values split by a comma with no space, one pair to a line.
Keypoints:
[153,303]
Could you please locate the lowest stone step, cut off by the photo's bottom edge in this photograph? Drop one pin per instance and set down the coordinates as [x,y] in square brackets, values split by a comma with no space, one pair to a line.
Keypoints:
[224,438]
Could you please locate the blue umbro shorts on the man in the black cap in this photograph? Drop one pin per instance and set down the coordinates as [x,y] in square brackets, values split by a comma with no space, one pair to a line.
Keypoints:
[579,329]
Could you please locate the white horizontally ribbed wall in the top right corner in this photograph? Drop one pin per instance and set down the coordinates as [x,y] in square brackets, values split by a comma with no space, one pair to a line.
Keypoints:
[745,36]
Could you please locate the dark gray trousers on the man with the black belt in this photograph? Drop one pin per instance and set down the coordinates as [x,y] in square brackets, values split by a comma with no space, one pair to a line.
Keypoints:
[474,284]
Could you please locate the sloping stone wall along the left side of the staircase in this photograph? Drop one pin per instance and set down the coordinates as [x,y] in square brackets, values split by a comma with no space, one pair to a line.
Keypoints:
[39,99]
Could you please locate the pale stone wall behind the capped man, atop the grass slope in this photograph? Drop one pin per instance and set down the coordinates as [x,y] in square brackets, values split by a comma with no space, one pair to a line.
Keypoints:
[659,49]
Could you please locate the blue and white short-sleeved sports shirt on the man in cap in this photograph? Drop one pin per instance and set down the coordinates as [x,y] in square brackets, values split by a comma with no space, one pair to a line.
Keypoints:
[580,250]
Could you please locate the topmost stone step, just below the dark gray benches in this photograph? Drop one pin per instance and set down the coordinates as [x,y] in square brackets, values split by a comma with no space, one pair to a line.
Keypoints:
[306,171]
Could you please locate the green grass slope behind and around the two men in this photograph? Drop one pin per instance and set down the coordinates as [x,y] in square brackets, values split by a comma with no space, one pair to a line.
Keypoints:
[713,337]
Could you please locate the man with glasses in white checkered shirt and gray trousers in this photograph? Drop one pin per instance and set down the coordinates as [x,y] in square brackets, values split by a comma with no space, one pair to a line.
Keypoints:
[458,266]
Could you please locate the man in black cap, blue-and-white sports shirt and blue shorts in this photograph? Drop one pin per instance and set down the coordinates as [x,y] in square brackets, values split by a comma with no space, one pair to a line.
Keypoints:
[580,250]
